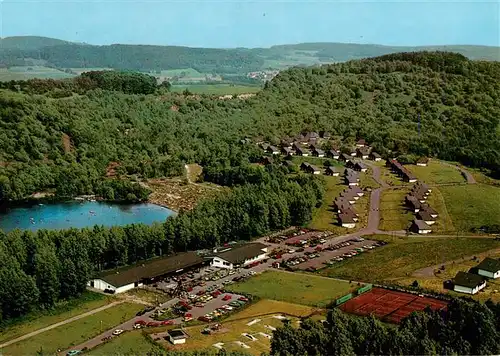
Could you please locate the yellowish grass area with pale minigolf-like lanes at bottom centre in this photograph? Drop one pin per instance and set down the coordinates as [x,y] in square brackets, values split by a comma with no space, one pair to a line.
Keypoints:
[260,316]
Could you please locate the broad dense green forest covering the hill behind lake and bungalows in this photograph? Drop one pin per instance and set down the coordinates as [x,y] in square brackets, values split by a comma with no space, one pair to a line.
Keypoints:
[434,104]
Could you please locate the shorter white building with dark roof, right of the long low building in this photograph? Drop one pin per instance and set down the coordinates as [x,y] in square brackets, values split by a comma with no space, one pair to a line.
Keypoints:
[242,255]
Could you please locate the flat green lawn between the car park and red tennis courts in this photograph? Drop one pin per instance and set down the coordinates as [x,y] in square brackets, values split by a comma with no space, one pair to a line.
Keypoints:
[296,288]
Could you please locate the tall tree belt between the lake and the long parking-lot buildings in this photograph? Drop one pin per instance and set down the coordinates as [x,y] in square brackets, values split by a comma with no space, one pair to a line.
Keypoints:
[39,269]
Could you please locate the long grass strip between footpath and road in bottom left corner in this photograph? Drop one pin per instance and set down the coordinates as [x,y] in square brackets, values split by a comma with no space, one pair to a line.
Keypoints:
[74,333]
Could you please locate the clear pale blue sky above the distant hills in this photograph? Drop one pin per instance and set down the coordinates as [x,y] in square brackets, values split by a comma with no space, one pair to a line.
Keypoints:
[257,23]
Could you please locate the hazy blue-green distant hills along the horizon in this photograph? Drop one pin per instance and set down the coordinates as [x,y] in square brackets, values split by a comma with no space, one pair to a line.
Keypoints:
[20,51]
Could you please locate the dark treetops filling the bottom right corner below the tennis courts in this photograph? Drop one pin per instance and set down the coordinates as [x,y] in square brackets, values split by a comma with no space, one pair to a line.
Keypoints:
[467,328]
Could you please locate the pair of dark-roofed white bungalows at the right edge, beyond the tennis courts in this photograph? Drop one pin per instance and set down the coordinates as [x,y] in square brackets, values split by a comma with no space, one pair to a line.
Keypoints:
[473,281]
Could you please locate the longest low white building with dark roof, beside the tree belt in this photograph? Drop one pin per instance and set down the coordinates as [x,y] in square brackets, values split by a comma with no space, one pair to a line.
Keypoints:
[126,278]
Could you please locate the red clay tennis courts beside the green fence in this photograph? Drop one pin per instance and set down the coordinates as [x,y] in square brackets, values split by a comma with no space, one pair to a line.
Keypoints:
[388,305]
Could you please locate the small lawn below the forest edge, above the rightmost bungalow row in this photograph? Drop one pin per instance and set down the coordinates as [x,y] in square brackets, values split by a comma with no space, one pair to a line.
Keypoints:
[436,173]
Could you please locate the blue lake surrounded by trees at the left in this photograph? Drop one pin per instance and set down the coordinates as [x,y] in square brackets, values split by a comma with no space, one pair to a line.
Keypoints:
[81,214]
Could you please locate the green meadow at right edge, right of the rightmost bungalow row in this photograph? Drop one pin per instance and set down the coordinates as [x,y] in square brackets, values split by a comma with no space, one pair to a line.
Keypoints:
[472,206]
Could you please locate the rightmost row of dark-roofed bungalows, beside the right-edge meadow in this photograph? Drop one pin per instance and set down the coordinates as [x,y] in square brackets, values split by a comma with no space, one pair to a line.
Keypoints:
[416,200]
